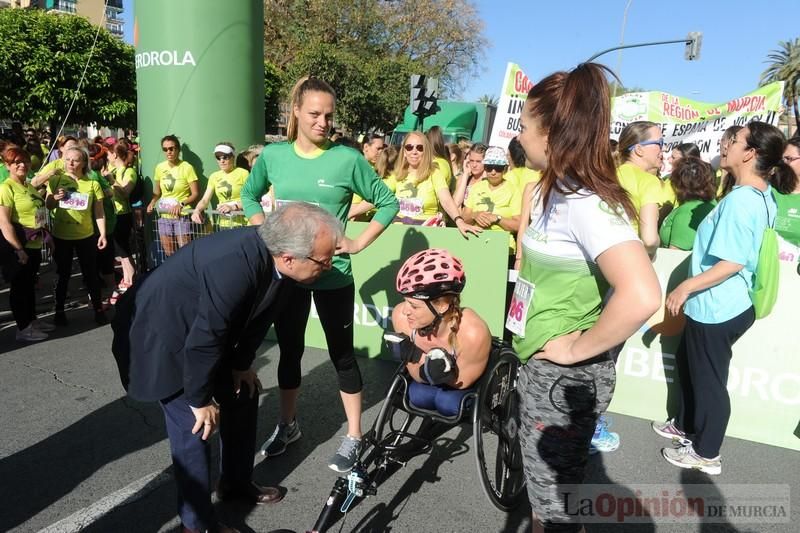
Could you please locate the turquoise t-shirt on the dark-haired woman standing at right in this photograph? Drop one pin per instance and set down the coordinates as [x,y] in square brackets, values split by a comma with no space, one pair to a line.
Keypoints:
[732,232]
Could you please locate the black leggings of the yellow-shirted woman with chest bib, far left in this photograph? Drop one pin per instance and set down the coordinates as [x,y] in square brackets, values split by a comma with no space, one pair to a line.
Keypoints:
[87,259]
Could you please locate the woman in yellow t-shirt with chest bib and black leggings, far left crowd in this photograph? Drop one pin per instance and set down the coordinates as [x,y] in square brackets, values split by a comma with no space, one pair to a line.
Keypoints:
[77,202]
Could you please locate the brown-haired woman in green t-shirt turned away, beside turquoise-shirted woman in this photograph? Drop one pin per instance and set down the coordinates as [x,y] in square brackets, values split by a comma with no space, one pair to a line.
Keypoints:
[692,180]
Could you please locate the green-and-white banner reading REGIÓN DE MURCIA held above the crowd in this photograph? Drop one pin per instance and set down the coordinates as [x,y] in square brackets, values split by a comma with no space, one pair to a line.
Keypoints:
[688,121]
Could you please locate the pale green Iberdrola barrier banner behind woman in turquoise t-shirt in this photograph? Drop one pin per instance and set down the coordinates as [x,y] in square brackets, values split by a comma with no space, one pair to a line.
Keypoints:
[764,380]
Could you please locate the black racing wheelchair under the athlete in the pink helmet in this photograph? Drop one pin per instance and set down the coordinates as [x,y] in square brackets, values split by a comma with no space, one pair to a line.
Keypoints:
[491,406]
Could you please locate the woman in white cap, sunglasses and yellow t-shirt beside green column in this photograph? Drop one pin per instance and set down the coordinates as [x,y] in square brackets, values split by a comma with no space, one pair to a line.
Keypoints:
[226,186]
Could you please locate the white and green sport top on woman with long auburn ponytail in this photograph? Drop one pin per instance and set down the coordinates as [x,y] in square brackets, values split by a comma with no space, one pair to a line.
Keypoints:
[560,288]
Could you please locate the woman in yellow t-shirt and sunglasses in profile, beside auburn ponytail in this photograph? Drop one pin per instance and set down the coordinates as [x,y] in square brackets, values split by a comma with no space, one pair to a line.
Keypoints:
[640,145]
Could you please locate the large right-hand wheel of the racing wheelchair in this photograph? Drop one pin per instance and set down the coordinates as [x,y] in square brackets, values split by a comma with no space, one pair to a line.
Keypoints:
[495,421]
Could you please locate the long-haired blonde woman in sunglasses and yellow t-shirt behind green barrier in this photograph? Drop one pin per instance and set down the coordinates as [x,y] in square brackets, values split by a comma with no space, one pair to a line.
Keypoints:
[422,189]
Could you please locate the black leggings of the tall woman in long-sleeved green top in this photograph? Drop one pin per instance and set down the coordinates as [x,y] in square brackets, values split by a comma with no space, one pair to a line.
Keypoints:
[335,309]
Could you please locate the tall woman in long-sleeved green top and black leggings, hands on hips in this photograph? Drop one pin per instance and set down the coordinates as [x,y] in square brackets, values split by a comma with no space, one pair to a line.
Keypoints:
[311,168]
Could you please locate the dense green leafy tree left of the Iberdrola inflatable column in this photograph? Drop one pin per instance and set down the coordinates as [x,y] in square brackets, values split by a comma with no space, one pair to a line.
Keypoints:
[42,57]
